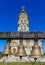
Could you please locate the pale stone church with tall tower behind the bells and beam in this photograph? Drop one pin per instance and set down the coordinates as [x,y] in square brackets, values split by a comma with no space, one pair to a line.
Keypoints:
[23,26]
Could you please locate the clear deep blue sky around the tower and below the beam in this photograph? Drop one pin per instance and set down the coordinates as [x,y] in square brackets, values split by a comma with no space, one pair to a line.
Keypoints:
[9,10]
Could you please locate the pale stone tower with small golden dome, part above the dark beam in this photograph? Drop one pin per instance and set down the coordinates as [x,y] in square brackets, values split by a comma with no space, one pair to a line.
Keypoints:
[23,24]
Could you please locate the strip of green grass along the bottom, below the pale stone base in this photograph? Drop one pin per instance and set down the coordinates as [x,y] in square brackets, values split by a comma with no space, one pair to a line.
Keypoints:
[20,63]
